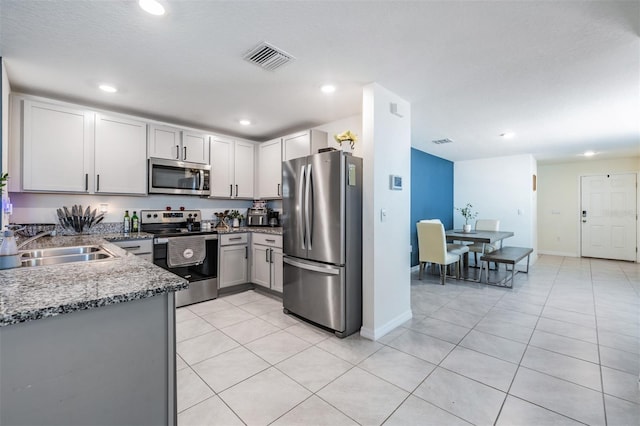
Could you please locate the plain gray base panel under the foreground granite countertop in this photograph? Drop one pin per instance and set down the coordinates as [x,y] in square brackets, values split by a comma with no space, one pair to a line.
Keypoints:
[111,365]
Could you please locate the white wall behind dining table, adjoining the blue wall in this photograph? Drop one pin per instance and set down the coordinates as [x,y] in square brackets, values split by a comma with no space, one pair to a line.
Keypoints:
[500,188]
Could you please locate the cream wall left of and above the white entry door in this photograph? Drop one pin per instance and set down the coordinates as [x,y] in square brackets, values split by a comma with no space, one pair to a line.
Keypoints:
[559,201]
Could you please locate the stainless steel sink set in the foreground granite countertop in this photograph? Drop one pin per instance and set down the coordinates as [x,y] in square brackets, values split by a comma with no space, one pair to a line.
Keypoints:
[61,255]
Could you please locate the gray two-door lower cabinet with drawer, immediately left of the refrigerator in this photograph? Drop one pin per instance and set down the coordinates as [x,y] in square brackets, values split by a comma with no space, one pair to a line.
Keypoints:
[266,261]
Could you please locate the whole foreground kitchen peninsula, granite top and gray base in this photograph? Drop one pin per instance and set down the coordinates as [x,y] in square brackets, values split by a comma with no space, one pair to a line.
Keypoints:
[73,352]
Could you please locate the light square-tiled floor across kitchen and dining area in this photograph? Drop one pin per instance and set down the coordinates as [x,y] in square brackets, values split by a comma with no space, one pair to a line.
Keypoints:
[561,347]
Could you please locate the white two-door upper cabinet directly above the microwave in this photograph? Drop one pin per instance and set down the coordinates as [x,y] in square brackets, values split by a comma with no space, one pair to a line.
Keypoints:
[172,143]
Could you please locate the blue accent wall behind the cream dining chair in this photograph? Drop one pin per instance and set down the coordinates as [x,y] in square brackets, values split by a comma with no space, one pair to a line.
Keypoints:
[431,193]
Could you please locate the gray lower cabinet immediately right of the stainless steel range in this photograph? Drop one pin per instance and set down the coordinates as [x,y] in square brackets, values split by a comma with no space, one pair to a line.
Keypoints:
[234,259]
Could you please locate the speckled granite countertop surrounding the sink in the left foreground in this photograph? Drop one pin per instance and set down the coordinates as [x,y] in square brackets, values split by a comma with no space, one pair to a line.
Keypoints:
[32,293]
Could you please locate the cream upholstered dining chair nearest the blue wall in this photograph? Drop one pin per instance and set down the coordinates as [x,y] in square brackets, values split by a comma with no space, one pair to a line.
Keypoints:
[432,248]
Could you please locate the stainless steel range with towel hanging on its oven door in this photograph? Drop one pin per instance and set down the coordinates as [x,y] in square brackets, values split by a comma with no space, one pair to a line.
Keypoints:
[181,247]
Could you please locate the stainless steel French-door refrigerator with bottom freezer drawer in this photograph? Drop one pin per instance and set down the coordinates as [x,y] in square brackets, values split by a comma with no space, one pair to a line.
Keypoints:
[322,240]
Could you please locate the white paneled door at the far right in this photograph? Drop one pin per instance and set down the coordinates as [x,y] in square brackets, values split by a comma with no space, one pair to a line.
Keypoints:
[609,216]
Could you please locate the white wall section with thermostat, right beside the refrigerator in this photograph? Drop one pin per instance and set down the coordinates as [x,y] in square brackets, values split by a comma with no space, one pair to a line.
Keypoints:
[386,148]
